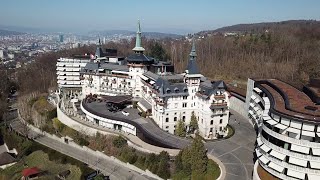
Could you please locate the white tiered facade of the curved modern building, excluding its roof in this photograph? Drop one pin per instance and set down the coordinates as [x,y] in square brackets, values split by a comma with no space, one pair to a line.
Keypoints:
[287,147]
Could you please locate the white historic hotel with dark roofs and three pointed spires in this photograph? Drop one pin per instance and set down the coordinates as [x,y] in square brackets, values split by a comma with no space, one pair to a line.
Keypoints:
[167,97]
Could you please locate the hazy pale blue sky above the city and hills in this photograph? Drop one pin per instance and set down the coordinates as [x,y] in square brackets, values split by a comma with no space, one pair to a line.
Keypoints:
[156,15]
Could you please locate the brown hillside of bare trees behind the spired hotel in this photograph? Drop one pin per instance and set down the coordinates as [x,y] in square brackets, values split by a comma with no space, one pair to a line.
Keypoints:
[291,54]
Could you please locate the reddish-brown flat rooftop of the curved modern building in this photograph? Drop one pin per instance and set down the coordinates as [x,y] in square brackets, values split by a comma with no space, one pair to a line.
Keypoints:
[291,101]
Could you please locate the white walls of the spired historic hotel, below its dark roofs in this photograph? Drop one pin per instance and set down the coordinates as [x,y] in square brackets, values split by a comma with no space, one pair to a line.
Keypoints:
[212,113]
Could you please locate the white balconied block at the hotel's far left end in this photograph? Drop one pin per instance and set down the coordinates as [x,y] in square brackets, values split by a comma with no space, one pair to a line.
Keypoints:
[68,72]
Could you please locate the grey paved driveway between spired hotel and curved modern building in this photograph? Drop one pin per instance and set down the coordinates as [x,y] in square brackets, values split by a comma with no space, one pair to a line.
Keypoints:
[236,153]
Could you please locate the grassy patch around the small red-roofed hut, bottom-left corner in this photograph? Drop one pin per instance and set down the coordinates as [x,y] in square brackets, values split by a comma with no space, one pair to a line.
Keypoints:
[41,160]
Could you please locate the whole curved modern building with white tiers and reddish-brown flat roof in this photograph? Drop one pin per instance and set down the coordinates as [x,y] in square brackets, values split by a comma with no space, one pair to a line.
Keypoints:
[288,124]
